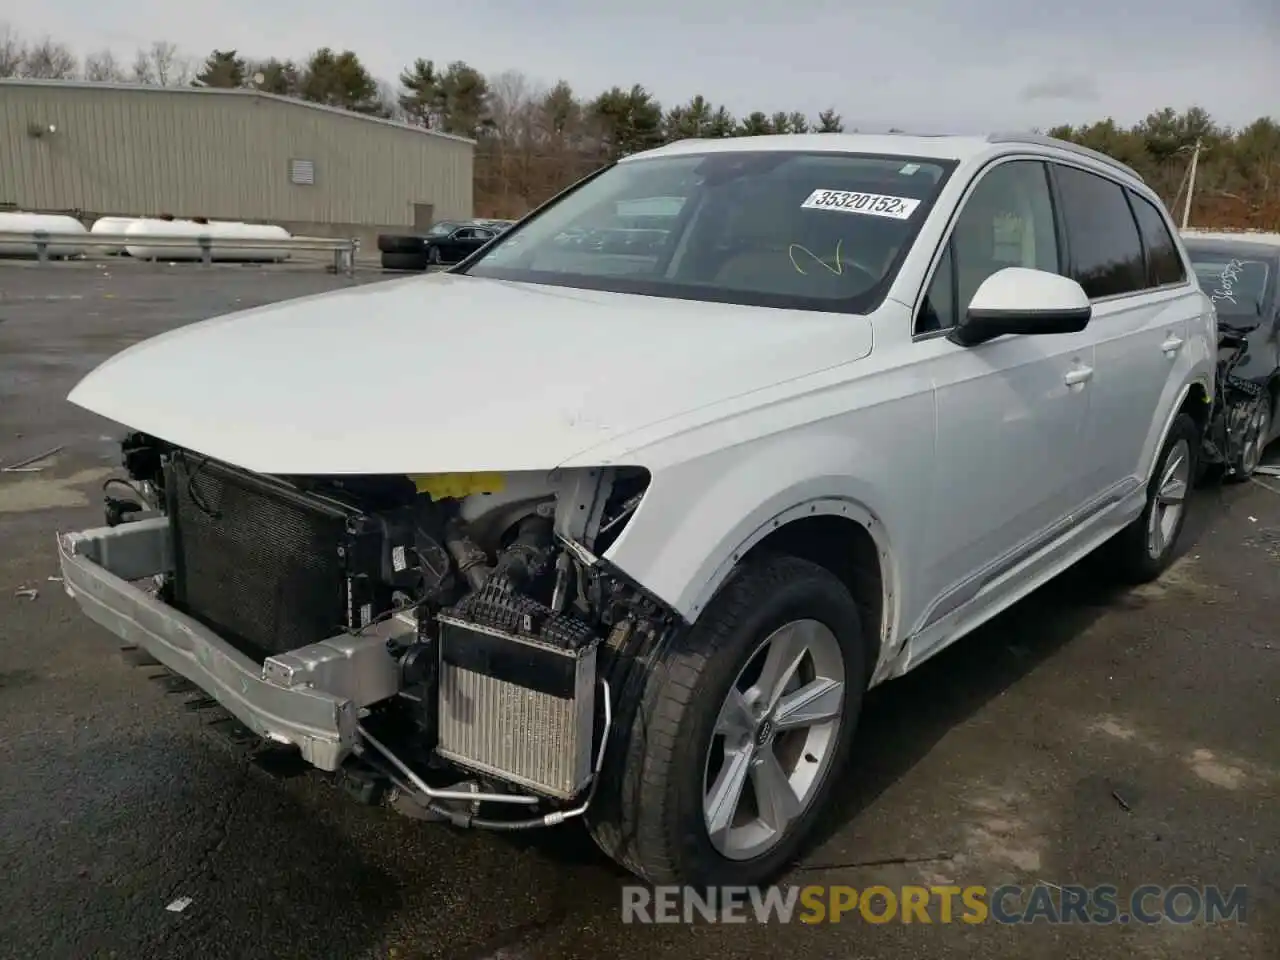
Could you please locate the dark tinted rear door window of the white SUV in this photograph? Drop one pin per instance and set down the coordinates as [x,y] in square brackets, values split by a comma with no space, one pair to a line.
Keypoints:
[1107,250]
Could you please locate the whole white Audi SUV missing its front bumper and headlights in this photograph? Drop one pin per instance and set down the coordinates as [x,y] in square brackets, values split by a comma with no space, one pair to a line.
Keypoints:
[632,545]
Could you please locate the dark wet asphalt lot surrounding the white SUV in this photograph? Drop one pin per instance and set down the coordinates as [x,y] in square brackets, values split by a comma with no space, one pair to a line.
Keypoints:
[1086,738]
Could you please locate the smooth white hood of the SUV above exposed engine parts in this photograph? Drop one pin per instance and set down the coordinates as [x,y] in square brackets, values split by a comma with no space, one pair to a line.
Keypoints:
[451,373]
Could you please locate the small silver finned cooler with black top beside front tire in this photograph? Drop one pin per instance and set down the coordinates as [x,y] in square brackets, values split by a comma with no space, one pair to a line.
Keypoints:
[516,708]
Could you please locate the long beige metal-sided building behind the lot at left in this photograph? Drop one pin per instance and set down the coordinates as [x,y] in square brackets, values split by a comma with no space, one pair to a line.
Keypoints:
[223,154]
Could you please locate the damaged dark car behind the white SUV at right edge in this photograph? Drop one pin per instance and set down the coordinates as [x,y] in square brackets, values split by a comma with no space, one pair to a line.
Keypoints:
[1242,277]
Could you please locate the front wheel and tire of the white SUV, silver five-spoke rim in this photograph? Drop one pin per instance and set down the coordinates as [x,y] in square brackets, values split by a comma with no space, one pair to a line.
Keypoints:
[740,734]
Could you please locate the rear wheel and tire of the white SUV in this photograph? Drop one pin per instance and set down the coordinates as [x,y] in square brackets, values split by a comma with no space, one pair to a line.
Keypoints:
[1144,551]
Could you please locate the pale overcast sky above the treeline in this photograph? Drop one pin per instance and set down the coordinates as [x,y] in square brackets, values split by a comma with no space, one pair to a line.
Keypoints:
[927,66]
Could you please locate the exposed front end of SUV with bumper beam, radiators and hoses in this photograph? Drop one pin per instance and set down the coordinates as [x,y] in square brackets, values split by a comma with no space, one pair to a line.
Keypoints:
[455,638]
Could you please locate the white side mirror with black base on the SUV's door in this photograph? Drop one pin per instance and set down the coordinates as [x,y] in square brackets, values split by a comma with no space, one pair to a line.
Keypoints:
[1022,301]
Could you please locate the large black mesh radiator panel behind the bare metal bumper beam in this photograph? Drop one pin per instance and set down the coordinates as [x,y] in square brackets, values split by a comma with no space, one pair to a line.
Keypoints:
[258,566]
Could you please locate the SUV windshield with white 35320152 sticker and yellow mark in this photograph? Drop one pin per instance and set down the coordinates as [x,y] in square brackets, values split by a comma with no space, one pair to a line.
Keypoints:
[769,228]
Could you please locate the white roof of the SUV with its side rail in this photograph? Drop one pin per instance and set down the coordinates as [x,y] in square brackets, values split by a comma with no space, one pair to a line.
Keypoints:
[932,147]
